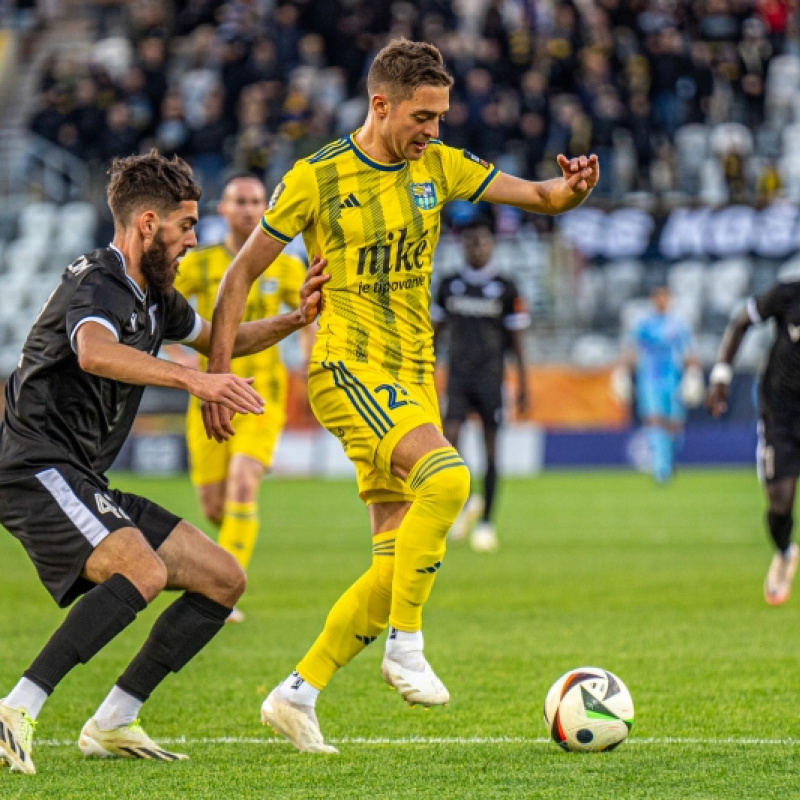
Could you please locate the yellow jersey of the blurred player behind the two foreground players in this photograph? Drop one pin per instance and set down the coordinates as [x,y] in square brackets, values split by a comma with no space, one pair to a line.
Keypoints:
[198,279]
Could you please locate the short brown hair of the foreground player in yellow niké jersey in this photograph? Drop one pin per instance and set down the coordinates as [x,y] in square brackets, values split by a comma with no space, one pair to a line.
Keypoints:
[403,66]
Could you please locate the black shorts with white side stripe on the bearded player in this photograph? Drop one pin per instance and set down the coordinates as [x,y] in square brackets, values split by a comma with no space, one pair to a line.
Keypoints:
[60,515]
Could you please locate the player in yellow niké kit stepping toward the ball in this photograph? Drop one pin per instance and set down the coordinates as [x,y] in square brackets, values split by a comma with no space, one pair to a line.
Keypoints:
[371,203]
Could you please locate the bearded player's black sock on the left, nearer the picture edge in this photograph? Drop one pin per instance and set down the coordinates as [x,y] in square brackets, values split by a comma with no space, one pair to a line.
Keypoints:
[90,625]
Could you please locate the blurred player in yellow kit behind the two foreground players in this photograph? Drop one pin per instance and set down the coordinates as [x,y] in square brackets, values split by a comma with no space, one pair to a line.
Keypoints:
[227,475]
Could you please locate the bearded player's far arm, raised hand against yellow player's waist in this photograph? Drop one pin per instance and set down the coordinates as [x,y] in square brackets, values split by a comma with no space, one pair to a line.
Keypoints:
[252,337]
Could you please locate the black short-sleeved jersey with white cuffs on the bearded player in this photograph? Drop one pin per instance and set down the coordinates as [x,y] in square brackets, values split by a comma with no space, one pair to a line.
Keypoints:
[55,411]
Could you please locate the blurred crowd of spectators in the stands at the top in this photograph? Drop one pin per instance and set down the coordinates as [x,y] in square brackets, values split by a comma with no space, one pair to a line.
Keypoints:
[254,85]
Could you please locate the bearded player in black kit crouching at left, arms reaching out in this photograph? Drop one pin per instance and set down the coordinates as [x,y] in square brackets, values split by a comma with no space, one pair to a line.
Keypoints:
[70,405]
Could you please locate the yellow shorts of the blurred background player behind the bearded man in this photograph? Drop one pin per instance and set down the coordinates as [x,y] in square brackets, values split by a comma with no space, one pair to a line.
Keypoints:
[256,436]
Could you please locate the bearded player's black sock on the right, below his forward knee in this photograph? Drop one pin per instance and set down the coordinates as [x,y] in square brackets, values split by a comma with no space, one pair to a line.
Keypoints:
[179,634]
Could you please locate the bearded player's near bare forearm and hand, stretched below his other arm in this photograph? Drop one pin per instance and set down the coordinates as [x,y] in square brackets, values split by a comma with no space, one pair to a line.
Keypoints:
[101,354]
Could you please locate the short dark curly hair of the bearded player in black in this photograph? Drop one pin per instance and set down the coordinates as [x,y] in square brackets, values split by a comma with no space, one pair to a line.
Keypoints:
[149,181]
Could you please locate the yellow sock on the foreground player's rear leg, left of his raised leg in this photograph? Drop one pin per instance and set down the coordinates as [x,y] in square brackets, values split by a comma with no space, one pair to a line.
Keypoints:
[357,618]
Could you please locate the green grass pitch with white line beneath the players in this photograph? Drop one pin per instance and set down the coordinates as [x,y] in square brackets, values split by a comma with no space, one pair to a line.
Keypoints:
[660,585]
